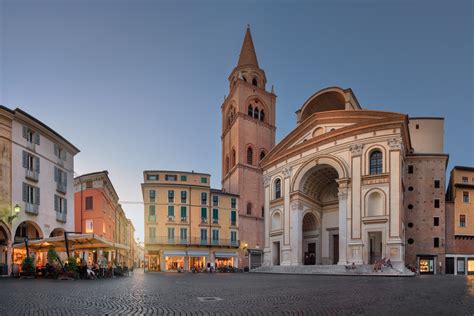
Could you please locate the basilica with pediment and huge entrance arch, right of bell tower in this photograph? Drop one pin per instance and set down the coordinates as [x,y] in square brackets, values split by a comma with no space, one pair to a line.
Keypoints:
[335,187]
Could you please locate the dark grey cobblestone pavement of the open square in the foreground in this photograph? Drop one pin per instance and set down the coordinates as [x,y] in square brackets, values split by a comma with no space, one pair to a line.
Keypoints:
[241,293]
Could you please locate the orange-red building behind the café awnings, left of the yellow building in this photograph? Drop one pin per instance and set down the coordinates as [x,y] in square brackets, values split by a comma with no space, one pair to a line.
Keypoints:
[97,210]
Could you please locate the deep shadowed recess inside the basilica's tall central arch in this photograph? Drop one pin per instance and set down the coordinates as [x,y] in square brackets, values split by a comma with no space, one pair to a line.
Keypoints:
[319,185]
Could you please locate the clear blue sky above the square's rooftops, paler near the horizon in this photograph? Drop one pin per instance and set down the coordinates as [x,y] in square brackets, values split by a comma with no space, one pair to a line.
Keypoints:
[138,84]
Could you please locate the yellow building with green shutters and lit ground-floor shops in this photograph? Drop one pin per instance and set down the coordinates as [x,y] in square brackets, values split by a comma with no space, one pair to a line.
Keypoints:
[188,224]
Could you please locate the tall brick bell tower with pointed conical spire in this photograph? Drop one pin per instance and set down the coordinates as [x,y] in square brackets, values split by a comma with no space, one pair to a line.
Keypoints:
[248,134]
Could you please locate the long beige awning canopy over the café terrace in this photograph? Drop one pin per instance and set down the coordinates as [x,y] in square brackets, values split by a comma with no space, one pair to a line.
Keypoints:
[75,242]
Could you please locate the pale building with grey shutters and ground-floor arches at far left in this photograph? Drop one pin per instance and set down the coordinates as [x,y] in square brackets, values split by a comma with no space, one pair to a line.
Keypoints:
[37,179]
